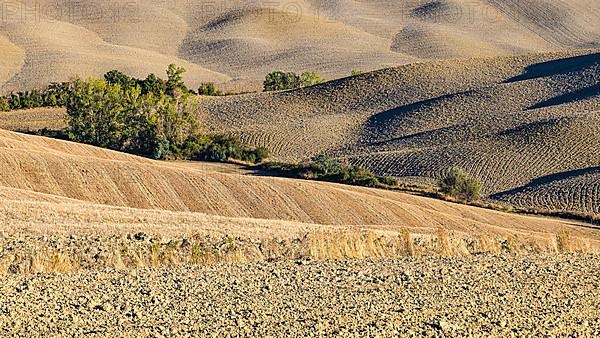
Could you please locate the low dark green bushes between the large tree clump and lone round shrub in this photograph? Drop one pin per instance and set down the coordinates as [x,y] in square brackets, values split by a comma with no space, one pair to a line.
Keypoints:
[326,168]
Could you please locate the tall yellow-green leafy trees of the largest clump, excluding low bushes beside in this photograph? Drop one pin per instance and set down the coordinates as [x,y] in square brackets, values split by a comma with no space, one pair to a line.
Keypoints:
[109,116]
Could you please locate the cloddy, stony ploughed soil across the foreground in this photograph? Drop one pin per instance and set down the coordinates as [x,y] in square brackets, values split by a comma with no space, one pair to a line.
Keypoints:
[491,296]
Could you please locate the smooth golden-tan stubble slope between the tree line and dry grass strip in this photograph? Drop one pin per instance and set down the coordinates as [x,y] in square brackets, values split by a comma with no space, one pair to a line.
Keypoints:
[62,185]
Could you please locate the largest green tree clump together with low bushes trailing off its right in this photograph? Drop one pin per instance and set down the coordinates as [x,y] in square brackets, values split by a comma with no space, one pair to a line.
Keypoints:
[151,117]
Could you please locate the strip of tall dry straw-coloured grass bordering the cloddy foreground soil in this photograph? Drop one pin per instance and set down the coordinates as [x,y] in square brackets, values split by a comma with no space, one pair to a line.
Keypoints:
[121,254]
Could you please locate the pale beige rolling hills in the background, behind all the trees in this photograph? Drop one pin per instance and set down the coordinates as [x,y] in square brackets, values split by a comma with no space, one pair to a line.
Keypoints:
[237,42]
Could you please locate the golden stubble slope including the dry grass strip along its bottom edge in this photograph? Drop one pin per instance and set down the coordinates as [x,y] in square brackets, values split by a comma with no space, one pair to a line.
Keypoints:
[53,189]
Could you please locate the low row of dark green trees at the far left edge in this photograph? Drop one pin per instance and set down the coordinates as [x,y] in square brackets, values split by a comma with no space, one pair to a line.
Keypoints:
[54,95]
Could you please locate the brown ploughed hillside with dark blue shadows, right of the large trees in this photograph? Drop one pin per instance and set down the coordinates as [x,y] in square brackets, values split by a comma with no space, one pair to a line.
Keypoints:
[510,121]
